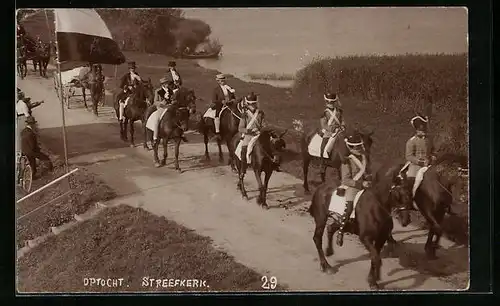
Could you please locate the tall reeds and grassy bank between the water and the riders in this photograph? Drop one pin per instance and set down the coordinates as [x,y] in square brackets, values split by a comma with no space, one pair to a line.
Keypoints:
[382,103]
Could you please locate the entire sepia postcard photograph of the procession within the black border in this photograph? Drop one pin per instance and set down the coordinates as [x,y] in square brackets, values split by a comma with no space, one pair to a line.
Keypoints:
[220,150]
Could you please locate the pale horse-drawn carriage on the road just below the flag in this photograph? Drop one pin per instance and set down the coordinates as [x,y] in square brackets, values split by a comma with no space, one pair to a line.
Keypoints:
[71,81]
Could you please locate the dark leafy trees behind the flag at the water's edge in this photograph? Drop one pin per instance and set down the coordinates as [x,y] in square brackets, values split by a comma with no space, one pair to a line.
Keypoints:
[160,31]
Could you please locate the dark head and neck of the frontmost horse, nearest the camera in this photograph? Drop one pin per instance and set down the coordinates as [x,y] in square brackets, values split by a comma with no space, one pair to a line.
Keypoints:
[392,188]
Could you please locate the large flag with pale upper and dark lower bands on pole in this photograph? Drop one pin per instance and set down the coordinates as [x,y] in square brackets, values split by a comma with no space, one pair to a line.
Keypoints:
[82,36]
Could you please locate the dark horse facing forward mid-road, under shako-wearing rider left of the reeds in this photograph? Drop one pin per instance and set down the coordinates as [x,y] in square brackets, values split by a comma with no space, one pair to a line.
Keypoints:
[266,147]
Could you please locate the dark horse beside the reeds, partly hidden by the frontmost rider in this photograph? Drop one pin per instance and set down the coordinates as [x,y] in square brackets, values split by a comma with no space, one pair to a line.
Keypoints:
[338,150]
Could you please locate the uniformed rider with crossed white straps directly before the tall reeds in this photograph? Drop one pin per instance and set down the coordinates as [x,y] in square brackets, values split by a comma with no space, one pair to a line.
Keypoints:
[331,122]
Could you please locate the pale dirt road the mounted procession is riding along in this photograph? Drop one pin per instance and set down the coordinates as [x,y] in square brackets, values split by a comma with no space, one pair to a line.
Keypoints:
[277,242]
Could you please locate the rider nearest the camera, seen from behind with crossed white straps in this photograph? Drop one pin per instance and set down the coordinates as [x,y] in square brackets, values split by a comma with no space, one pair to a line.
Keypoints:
[354,177]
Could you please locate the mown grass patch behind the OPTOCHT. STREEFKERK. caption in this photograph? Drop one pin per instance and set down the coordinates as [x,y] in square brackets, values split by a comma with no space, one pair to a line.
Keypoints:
[130,243]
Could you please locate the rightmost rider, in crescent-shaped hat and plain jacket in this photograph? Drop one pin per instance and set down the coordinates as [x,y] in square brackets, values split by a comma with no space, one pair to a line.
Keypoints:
[419,150]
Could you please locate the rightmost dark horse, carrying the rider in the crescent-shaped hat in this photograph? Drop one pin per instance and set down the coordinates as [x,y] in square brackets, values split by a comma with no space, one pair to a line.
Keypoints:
[436,193]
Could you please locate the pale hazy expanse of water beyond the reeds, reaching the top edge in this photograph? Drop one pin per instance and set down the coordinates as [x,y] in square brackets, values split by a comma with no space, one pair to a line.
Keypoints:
[283,40]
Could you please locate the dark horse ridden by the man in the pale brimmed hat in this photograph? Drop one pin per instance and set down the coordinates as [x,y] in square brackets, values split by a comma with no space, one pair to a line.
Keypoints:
[230,116]
